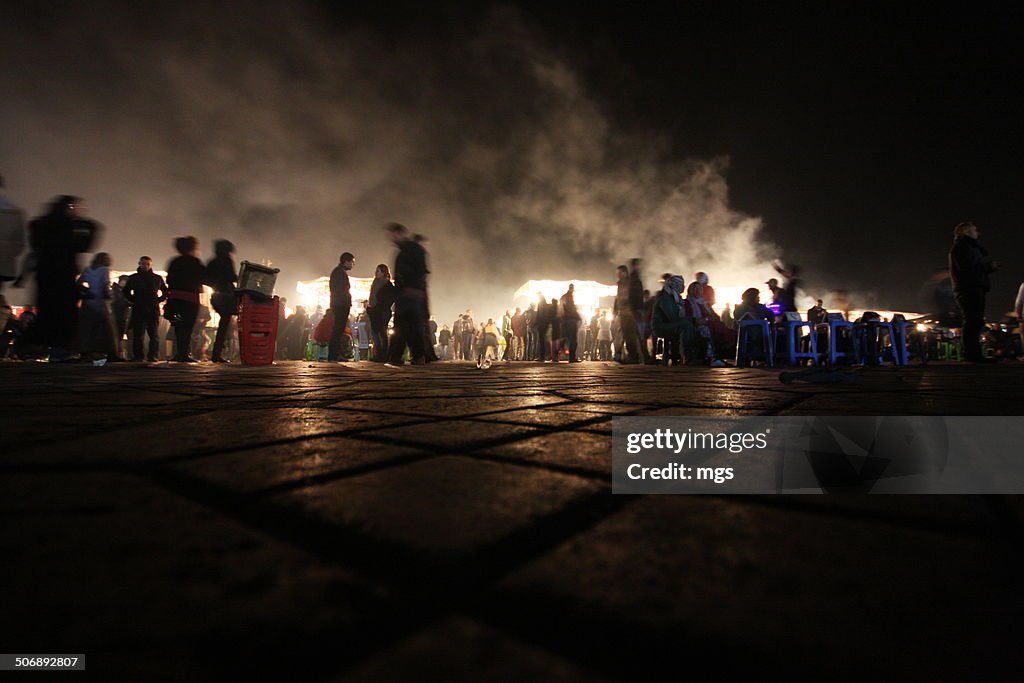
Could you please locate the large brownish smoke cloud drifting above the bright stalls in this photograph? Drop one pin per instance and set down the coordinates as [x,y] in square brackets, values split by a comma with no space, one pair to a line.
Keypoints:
[298,138]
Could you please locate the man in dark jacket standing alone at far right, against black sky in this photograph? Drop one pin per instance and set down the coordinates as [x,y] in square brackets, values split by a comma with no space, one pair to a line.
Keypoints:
[970,267]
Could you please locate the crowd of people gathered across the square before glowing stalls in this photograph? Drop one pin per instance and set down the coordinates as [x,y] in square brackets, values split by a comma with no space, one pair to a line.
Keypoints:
[83,315]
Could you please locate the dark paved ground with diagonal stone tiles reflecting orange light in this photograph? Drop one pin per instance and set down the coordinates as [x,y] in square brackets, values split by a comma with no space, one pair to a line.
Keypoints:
[365,523]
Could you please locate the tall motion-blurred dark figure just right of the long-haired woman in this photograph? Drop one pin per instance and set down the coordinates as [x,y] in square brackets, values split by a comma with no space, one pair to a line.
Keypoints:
[411,297]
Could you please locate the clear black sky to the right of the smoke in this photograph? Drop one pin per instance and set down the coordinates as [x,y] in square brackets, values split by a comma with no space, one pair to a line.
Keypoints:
[861,135]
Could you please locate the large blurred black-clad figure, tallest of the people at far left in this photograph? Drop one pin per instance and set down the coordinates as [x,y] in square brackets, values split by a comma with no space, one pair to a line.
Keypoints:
[56,240]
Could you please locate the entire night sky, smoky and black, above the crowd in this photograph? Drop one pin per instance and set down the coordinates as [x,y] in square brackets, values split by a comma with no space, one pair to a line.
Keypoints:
[860,137]
